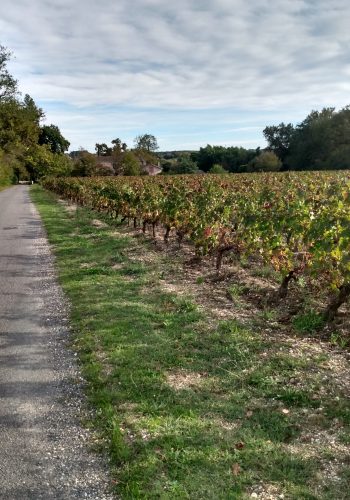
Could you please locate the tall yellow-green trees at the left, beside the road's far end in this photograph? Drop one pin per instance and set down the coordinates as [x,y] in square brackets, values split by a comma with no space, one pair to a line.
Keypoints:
[27,150]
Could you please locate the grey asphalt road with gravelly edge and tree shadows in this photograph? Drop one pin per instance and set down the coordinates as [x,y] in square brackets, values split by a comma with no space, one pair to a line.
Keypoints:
[44,452]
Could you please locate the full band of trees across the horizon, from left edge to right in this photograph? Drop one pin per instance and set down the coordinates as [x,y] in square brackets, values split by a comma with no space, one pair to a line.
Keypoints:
[30,150]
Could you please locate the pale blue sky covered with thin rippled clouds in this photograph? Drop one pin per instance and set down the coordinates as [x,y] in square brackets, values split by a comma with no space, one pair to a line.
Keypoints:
[190,72]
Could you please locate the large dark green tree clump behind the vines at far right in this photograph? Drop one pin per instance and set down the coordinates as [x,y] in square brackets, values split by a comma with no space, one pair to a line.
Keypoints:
[320,142]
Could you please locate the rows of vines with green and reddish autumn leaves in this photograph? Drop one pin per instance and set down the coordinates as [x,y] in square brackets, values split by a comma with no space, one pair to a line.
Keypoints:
[296,222]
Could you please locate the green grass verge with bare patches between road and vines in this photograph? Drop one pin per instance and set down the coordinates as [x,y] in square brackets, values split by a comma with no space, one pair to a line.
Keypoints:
[178,401]
